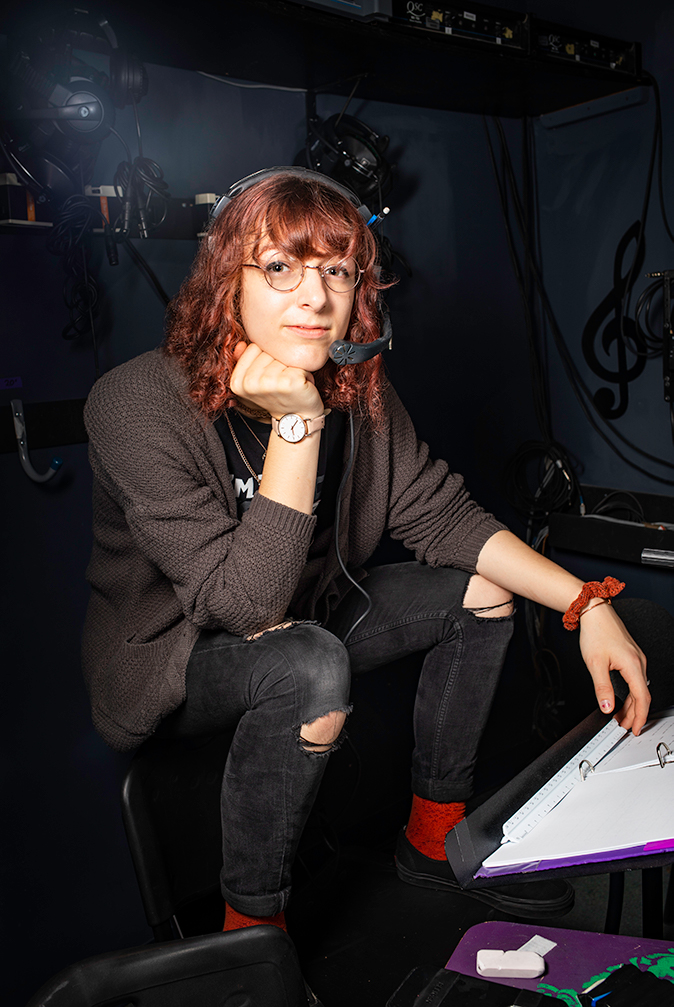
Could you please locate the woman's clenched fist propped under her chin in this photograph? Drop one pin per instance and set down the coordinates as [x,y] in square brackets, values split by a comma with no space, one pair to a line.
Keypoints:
[266,383]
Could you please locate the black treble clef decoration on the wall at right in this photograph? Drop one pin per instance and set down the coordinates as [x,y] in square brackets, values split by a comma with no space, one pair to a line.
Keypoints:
[605,398]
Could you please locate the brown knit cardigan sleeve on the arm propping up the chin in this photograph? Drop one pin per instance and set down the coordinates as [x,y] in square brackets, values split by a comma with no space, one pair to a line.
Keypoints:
[152,456]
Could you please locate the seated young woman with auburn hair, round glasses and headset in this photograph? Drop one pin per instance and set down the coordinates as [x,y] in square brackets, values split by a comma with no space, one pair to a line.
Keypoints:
[242,482]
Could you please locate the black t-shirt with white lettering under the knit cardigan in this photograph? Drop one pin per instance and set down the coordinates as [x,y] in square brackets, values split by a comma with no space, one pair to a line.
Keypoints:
[253,438]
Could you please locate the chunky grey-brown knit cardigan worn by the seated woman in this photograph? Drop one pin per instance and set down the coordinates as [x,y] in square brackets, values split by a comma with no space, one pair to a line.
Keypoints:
[171,558]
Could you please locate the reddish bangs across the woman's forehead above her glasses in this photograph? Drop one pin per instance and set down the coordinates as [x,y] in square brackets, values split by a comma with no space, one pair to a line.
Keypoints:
[320,229]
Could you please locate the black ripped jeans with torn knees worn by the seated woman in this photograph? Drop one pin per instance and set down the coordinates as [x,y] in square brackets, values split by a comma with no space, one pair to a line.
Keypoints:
[272,686]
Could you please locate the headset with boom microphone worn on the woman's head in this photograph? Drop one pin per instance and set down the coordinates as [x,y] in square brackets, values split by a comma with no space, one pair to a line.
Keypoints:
[342,352]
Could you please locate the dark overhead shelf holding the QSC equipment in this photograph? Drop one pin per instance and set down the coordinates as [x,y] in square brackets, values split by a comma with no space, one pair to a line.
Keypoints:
[290,46]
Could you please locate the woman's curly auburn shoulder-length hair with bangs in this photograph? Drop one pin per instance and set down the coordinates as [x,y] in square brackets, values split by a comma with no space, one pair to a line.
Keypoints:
[304,218]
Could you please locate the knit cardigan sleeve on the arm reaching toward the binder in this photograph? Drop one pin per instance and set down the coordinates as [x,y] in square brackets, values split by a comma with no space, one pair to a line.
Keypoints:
[430,508]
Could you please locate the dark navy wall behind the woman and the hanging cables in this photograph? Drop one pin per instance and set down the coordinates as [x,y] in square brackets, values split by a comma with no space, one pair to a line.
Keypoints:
[461,366]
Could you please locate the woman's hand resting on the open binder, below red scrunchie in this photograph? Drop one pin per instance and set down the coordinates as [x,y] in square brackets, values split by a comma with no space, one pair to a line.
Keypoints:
[607,646]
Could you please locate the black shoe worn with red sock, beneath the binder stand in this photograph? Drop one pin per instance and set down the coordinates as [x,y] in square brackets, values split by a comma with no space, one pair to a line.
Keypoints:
[531,900]
